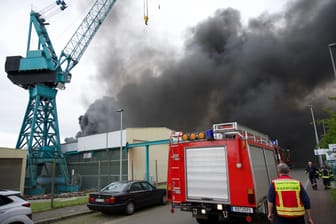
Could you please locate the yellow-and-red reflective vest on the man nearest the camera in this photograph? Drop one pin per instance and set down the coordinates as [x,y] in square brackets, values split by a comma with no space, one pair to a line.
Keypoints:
[287,197]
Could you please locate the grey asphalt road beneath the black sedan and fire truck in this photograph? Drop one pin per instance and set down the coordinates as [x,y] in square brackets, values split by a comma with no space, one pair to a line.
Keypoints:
[323,210]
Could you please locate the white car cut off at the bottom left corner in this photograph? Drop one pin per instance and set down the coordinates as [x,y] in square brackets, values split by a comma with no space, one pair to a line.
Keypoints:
[14,208]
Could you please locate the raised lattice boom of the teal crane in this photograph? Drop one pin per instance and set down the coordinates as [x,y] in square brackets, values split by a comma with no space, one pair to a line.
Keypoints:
[80,40]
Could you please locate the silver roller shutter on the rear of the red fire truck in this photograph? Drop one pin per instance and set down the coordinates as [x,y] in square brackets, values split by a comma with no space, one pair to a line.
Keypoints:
[206,174]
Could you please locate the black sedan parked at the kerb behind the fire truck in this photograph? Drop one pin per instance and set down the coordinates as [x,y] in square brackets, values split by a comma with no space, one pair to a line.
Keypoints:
[126,197]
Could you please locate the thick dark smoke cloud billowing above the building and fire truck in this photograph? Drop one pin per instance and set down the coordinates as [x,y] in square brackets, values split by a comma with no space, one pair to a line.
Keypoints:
[261,75]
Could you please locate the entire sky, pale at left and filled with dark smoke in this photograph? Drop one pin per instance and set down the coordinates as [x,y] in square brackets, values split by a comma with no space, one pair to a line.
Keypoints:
[196,63]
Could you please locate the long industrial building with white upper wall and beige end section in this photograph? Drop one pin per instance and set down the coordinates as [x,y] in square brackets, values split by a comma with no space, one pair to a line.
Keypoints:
[94,161]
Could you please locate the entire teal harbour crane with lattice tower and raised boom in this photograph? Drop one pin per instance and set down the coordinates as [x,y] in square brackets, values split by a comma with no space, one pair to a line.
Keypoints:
[41,72]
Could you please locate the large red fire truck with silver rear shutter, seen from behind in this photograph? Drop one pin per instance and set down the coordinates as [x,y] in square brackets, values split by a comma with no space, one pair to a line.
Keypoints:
[221,174]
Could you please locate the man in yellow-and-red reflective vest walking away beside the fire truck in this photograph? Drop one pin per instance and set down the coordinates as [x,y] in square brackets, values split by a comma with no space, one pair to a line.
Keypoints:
[288,202]
